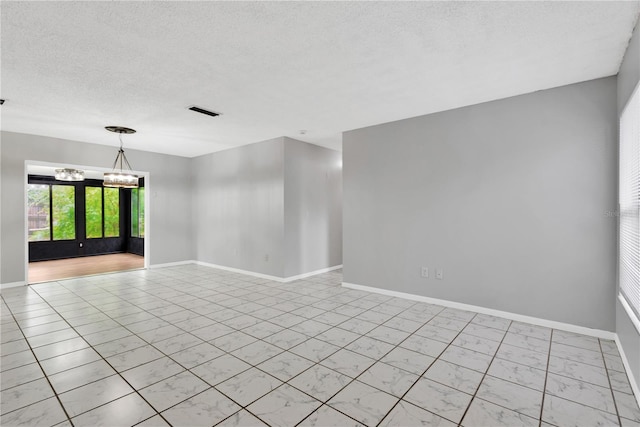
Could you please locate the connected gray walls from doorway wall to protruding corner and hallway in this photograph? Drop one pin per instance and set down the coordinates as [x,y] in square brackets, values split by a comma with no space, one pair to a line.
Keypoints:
[225,208]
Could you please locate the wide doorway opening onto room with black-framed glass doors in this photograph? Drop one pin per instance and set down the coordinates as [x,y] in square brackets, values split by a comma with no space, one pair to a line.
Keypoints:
[78,228]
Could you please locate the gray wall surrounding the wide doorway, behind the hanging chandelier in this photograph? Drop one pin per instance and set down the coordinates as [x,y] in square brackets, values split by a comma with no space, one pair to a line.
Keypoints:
[169,185]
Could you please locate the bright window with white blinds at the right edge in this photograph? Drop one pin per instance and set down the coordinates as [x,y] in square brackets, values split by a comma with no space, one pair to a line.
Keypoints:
[629,199]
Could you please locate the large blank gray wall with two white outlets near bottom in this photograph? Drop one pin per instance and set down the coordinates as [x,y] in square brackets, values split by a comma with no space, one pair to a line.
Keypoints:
[508,197]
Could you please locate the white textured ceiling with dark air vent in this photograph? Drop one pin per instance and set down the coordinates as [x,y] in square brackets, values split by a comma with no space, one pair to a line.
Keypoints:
[275,68]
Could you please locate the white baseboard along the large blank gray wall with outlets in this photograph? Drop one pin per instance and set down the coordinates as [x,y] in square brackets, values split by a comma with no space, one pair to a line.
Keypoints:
[507,315]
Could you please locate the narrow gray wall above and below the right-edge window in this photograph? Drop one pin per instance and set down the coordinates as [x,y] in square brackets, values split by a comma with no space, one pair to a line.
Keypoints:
[628,79]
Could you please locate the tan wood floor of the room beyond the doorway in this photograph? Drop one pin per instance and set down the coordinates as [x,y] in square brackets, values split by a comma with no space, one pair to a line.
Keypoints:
[46,271]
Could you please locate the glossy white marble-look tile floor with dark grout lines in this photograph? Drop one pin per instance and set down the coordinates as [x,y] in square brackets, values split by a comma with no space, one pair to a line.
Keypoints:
[196,346]
